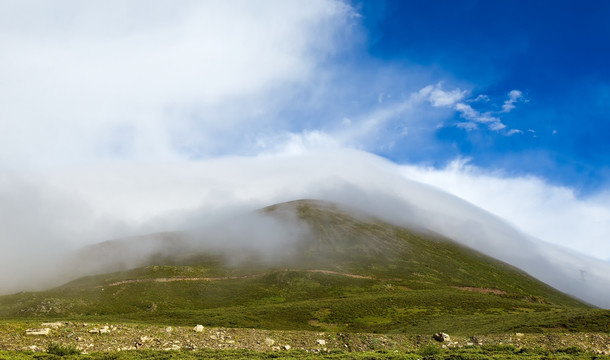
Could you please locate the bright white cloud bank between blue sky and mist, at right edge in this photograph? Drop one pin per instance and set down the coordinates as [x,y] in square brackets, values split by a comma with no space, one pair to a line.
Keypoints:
[552,213]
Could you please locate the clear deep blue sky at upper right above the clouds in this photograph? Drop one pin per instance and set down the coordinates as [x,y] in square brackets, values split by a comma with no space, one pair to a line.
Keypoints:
[556,54]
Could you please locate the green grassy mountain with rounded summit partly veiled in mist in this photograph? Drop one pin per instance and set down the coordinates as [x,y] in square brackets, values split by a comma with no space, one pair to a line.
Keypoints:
[306,265]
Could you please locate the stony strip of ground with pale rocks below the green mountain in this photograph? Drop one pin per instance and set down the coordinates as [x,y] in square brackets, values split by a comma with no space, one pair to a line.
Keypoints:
[121,337]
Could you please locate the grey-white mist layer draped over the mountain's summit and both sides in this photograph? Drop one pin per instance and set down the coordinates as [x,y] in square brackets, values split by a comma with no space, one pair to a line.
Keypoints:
[52,217]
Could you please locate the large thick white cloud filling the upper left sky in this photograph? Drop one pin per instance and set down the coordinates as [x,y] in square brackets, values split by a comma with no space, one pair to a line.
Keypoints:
[150,80]
